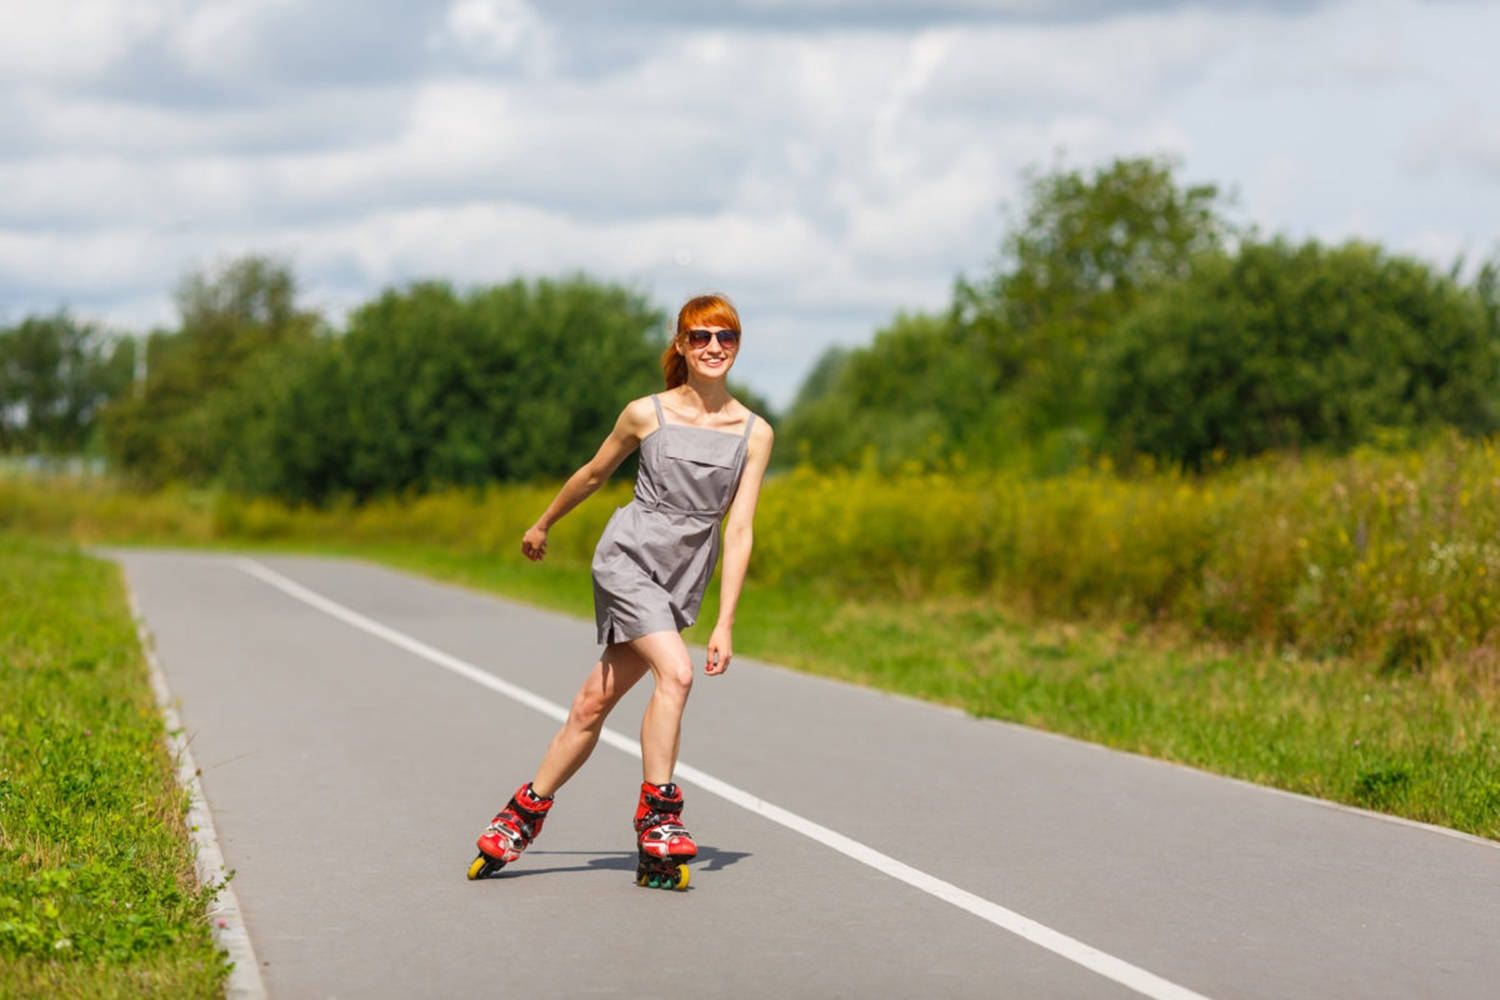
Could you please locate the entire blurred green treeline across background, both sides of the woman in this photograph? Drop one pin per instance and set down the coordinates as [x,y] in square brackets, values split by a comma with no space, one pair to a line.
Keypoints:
[1126,317]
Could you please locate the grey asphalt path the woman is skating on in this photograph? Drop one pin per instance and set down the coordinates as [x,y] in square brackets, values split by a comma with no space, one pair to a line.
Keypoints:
[869,846]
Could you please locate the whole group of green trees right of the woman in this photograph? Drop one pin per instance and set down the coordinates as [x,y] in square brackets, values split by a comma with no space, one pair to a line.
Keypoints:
[1129,317]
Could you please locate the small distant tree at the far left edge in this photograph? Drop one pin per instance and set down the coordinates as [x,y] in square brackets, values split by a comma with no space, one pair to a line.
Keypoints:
[55,376]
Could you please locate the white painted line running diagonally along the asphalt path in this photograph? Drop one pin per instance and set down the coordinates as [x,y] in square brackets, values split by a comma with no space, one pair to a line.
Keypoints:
[1057,942]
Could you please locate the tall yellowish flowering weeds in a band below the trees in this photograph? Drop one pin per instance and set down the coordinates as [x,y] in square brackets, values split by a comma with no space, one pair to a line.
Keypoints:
[1375,555]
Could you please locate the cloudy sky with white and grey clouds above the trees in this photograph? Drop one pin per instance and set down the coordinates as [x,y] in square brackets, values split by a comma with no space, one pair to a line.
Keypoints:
[827,164]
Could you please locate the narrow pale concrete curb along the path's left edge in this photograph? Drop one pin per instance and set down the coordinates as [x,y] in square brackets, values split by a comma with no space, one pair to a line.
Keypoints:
[226,920]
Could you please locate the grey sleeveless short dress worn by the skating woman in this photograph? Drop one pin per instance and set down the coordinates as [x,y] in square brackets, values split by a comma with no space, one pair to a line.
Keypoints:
[659,551]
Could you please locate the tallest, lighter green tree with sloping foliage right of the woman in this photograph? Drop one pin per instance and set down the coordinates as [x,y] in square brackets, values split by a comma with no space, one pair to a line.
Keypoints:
[1012,373]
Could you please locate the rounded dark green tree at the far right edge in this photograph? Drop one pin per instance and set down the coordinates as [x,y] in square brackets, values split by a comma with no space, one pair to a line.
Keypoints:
[1289,347]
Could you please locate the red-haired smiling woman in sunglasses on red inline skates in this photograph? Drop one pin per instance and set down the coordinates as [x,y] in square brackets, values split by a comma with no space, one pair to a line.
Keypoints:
[701,454]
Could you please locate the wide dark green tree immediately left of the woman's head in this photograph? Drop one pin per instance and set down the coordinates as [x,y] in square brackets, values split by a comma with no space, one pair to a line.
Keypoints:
[430,389]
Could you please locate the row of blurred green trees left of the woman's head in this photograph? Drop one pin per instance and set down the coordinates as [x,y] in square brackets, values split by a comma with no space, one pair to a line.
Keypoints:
[425,388]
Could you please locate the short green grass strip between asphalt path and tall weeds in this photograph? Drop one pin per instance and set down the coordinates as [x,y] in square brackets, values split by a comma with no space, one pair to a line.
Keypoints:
[1421,746]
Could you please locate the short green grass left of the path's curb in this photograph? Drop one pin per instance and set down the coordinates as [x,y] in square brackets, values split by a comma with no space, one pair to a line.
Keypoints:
[98,896]
